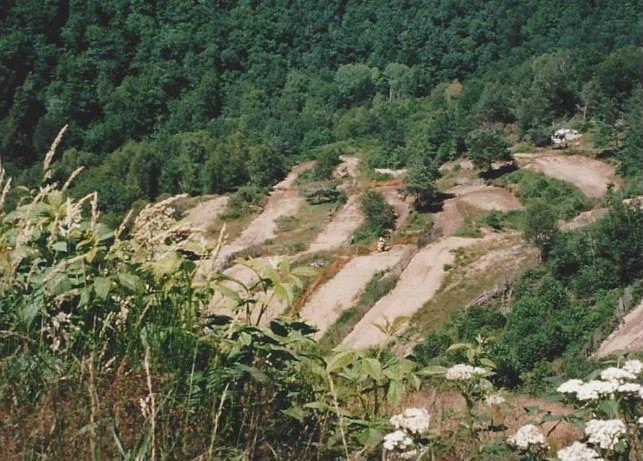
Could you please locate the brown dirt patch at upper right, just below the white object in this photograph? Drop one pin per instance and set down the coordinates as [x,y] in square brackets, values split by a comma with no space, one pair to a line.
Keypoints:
[589,175]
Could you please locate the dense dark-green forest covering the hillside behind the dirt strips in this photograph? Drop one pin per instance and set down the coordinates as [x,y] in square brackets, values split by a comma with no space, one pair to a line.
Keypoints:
[198,97]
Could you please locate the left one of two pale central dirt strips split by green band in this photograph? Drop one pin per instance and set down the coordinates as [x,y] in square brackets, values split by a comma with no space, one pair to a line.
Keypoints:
[342,291]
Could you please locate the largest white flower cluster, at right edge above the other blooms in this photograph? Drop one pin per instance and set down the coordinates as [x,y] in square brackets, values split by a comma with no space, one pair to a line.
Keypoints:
[614,381]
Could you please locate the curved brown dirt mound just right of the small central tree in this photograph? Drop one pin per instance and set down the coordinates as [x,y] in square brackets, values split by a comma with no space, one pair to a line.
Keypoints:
[487,198]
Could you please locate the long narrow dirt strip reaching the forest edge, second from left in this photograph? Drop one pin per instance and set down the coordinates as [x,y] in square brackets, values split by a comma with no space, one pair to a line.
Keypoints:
[285,200]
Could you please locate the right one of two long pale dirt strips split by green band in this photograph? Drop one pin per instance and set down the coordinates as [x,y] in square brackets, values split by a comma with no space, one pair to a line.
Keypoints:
[418,283]
